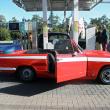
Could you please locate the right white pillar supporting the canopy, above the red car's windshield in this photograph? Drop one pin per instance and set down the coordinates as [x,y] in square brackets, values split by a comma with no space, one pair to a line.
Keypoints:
[75,20]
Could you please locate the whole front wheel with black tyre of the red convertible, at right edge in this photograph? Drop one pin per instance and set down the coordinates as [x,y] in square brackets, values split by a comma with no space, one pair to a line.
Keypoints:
[104,75]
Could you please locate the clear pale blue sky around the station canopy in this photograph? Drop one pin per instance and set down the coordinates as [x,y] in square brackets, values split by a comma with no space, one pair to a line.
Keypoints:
[9,10]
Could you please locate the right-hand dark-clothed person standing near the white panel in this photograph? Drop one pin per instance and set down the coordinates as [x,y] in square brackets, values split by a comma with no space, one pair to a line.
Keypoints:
[104,39]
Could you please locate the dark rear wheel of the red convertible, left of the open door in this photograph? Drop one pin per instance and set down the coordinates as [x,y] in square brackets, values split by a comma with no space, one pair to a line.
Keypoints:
[26,74]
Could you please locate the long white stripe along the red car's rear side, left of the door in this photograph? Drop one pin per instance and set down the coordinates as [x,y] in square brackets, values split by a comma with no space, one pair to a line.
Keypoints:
[24,57]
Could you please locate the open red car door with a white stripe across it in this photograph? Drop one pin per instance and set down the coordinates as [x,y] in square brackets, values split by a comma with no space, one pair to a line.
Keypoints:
[70,66]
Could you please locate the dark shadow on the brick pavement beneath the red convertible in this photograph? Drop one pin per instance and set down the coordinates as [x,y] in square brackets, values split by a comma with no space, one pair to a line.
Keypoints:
[33,88]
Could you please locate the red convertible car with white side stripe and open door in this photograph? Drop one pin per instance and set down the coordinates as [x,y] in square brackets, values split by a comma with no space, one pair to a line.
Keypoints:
[66,61]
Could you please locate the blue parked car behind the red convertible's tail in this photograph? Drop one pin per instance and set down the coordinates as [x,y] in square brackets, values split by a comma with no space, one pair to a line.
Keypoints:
[9,46]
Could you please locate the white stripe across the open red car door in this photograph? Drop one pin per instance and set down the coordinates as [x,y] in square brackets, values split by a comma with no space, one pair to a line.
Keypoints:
[74,59]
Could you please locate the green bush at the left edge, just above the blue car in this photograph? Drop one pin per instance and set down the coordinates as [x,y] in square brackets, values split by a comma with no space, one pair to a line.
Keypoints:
[4,34]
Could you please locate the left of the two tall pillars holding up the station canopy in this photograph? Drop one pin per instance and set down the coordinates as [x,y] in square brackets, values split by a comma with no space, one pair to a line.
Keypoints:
[45,25]
